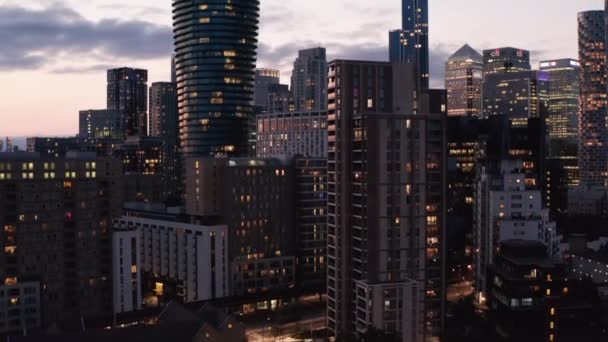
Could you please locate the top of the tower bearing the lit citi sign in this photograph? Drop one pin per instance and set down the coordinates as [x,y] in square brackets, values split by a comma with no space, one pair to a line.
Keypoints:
[505,59]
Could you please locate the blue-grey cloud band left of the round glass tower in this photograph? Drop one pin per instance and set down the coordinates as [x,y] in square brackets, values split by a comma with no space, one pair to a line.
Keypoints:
[37,38]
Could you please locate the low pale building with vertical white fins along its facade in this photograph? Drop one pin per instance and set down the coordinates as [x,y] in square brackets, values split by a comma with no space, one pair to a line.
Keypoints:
[175,260]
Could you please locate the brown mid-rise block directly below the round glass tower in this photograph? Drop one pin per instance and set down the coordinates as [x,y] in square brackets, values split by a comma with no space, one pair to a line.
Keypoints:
[261,237]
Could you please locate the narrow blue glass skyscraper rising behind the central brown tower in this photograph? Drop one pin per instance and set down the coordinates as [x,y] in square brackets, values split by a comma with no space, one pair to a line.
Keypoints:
[410,44]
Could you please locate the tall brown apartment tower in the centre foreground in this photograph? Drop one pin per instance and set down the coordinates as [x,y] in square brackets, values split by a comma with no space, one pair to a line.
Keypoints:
[386,197]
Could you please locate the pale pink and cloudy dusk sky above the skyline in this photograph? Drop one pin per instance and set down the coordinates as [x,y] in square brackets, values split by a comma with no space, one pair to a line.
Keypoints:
[54,53]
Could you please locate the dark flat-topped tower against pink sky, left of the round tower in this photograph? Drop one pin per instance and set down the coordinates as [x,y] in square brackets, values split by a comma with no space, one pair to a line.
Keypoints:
[128,93]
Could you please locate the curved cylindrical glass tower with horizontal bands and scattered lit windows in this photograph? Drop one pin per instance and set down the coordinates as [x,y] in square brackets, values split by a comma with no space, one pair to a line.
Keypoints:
[215,56]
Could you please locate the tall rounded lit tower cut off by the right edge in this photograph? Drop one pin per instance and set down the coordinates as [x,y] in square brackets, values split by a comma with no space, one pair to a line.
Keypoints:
[593,145]
